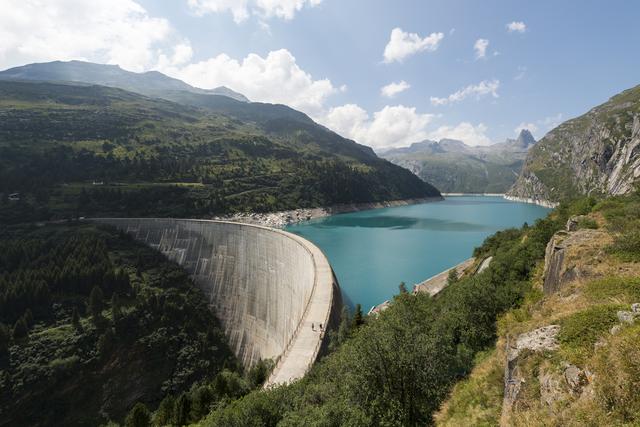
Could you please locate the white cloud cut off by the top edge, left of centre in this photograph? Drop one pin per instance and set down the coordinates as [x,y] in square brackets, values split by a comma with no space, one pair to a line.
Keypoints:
[243,9]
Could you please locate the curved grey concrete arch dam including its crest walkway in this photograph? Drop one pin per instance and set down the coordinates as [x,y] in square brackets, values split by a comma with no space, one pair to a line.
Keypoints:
[266,286]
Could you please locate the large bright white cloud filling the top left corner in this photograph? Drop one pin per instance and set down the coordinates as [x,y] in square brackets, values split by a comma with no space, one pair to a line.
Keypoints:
[110,31]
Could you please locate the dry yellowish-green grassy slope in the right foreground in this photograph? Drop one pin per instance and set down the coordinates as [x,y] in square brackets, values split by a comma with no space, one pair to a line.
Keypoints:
[591,338]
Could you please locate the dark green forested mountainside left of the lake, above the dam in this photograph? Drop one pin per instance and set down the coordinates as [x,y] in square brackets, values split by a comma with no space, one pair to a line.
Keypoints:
[78,150]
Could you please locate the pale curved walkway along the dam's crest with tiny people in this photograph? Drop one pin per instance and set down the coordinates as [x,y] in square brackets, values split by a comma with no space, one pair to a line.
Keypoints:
[303,350]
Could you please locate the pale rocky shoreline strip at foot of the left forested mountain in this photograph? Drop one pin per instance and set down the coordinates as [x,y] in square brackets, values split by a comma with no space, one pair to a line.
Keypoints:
[281,219]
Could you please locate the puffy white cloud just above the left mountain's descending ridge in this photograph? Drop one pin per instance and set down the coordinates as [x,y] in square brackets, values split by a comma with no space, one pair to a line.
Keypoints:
[275,78]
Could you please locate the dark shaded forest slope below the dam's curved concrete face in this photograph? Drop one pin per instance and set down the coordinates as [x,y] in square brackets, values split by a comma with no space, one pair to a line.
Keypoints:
[86,311]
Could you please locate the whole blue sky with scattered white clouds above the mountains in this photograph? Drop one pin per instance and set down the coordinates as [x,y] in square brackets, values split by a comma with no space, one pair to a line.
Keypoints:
[384,73]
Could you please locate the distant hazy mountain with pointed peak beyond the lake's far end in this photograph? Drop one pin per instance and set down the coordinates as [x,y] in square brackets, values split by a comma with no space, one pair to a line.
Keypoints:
[454,167]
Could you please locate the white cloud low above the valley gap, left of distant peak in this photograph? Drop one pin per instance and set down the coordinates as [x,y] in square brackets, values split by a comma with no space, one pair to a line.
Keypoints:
[393,126]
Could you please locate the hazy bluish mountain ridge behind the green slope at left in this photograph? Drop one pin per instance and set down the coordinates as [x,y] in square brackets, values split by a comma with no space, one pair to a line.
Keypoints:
[151,83]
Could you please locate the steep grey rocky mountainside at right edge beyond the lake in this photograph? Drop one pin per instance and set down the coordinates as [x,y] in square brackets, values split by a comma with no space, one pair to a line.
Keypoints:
[597,153]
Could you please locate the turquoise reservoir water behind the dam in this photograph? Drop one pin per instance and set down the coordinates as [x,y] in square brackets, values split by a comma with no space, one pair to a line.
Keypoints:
[373,251]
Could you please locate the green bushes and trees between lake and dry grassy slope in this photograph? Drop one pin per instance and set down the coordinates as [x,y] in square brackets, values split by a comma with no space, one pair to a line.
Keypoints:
[397,368]
